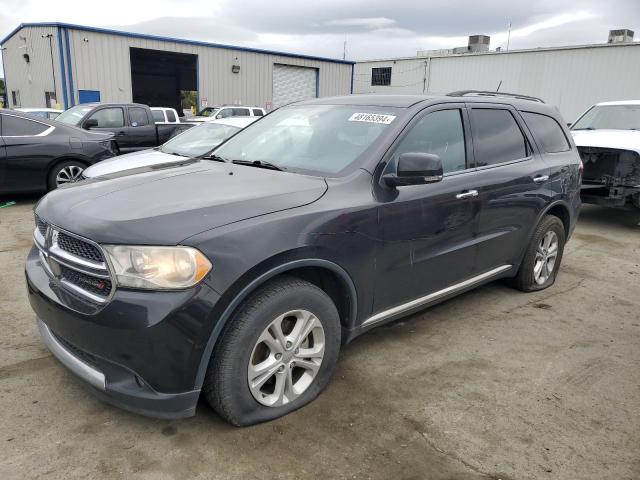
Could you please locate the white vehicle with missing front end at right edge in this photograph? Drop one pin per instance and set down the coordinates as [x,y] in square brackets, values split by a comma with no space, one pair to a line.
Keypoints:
[608,139]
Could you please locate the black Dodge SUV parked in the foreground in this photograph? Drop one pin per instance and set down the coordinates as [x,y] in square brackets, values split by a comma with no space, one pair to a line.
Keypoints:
[240,274]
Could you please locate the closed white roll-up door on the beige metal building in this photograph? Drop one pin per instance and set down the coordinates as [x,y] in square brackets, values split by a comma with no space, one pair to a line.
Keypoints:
[292,84]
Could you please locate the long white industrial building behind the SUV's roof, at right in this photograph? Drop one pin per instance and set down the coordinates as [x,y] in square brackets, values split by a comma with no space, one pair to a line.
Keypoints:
[572,78]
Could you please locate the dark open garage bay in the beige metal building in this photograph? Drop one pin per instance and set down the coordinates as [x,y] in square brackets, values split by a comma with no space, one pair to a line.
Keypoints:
[164,79]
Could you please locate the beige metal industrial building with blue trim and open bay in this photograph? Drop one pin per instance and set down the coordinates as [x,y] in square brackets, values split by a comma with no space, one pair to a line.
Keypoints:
[63,64]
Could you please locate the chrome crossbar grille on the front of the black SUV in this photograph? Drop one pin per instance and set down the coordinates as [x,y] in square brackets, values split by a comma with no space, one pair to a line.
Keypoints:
[74,263]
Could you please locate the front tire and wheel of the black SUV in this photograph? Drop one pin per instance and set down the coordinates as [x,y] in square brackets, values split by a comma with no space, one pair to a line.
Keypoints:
[243,347]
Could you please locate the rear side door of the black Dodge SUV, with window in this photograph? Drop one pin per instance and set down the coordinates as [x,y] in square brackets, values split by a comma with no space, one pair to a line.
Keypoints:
[510,180]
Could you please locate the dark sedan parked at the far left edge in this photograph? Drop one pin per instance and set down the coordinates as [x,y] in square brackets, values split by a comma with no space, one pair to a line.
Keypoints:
[39,154]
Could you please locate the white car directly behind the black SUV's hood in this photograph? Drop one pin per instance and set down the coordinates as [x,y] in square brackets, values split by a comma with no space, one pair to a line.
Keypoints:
[195,142]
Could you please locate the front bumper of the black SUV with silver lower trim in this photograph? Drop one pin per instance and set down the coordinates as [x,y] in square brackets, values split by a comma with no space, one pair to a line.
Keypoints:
[141,351]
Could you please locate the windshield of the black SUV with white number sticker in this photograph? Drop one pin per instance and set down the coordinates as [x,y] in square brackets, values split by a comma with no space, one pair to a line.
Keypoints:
[316,139]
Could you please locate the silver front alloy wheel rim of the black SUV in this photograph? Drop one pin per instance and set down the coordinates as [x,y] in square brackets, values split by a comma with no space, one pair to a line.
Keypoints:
[286,358]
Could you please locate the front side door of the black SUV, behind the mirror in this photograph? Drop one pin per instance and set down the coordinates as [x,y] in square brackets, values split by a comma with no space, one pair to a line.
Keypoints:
[428,230]
